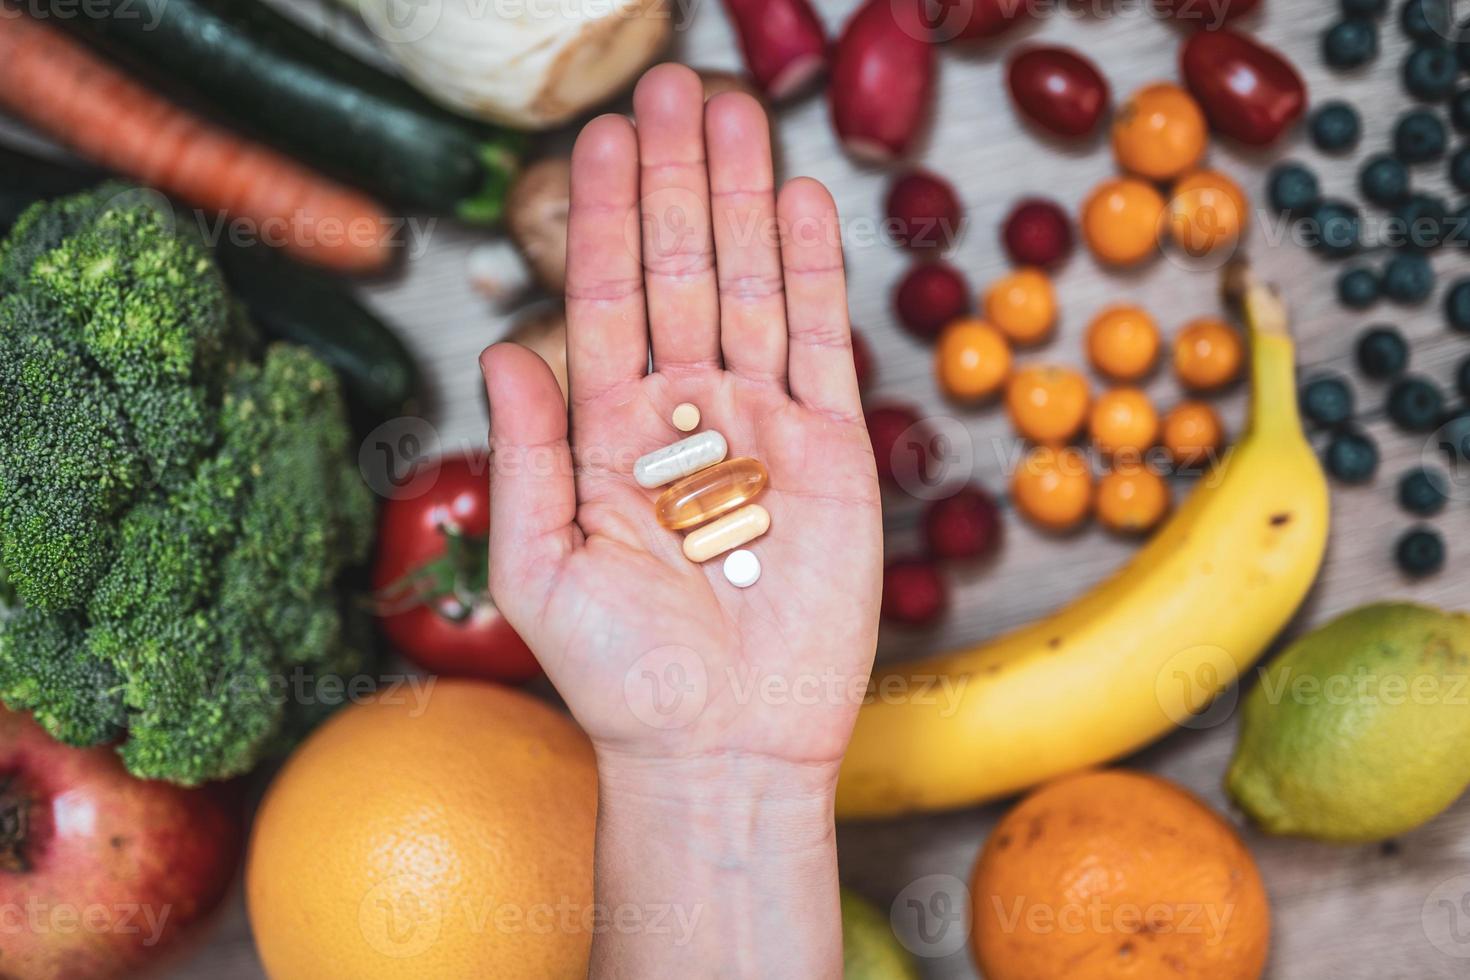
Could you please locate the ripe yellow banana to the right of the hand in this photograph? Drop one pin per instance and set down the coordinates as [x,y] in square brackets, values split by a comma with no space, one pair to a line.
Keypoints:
[1130,660]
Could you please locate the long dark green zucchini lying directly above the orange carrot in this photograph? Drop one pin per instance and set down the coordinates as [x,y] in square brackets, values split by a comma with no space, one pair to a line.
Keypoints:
[274,79]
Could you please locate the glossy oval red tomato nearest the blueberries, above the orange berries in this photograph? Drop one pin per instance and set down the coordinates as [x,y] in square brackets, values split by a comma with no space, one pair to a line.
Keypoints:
[1247,90]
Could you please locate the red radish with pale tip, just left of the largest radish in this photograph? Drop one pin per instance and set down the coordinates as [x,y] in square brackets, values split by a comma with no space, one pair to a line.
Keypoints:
[783,42]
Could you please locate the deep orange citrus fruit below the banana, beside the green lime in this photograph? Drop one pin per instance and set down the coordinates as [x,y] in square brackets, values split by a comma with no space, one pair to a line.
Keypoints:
[1118,876]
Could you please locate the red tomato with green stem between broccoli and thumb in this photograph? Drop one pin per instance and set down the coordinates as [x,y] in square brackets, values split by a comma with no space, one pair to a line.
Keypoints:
[449,627]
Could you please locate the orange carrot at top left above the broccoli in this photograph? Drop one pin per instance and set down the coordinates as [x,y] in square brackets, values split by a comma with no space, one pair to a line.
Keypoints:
[79,99]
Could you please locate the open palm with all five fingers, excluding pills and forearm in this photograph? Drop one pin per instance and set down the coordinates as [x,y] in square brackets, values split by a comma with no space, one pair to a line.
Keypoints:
[681,253]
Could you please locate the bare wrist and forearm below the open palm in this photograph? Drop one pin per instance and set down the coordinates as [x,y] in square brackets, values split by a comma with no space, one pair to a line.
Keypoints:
[717,869]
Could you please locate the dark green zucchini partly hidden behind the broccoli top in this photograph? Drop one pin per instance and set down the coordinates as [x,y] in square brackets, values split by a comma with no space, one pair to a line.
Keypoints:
[289,302]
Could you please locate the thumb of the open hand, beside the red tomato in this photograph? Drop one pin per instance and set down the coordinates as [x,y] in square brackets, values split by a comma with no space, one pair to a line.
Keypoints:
[533,496]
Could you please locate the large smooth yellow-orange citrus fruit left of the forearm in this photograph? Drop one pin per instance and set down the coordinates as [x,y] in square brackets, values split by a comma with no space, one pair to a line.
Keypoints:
[451,838]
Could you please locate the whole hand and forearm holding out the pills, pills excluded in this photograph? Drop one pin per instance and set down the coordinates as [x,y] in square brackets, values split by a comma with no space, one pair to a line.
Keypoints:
[720,715]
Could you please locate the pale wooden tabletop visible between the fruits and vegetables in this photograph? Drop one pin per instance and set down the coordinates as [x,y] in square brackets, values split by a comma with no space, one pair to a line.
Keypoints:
[1369,913]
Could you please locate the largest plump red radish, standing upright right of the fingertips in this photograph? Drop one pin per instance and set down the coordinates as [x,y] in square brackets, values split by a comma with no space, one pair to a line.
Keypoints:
[883,79]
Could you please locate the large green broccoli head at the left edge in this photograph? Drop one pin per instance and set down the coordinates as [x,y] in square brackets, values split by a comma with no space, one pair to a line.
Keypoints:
[177,508]
